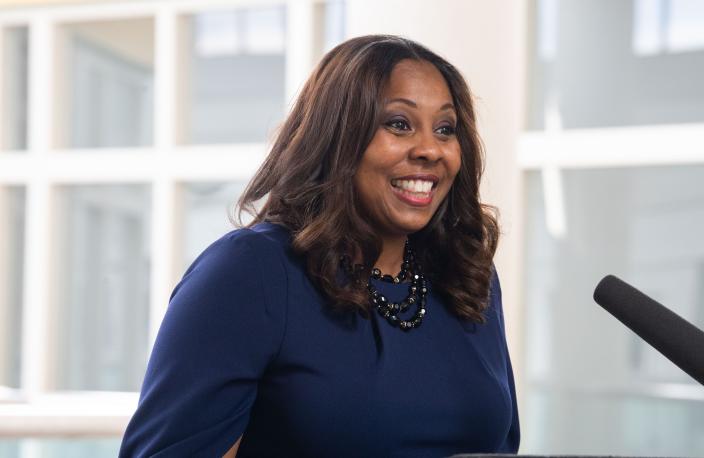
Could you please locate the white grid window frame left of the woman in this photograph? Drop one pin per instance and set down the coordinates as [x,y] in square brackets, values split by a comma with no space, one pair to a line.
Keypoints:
[35,411]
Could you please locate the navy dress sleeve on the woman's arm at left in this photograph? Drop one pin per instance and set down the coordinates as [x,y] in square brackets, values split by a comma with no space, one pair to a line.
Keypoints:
[223,327]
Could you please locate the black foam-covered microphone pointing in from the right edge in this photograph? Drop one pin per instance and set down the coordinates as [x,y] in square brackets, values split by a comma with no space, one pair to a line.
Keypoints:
[678,340]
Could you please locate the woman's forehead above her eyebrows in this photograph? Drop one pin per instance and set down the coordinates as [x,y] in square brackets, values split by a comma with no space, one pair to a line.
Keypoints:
[415,79]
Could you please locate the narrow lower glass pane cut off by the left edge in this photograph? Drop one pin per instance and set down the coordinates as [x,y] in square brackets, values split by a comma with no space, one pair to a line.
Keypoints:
[12,220]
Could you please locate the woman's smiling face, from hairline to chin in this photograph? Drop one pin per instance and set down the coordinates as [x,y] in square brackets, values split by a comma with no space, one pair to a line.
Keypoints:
[411,162]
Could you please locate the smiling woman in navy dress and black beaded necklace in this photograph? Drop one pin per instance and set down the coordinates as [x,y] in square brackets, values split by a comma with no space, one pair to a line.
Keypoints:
[296,336]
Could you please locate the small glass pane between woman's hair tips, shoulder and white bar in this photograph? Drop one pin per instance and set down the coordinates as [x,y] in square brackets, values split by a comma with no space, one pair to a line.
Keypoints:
[207,208]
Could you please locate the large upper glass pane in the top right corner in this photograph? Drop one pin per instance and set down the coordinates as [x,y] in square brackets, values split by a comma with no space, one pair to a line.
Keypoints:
[604,64]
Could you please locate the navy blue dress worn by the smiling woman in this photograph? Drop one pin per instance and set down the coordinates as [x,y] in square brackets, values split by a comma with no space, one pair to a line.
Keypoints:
[248,347]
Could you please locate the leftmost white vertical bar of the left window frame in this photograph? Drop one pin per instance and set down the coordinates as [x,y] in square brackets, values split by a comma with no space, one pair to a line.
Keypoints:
[38,259]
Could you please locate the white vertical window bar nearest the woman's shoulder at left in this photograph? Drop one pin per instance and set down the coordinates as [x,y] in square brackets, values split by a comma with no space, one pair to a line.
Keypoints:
[163,186]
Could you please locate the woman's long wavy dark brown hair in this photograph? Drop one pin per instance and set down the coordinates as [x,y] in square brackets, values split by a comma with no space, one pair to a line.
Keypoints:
[308,176]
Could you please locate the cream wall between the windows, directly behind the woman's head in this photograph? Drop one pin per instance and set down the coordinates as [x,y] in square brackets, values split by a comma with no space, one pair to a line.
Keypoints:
[485,40]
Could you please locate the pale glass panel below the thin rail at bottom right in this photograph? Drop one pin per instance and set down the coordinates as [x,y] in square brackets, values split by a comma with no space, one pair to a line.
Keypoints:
[610,424]
